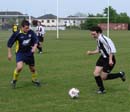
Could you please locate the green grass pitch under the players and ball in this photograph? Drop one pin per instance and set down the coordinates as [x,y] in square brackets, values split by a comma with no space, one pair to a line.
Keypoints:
[64,65]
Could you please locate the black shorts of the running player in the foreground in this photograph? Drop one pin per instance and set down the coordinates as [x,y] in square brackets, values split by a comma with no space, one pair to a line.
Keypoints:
[104,62]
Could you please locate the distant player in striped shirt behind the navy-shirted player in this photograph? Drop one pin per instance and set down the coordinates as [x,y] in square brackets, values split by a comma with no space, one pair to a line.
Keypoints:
[40,33]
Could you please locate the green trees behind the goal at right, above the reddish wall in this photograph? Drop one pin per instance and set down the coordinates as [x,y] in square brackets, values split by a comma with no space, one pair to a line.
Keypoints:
[114,17]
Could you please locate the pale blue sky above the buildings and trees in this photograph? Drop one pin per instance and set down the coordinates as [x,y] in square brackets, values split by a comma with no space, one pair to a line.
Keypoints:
[38,8]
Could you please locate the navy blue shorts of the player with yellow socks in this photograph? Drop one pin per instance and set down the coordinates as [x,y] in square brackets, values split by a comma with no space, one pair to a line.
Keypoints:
[27,58]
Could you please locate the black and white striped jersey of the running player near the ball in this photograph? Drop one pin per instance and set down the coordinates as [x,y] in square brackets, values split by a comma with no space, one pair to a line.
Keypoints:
[105,46]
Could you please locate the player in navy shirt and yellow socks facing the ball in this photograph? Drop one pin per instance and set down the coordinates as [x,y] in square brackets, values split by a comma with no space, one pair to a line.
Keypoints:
[26,45]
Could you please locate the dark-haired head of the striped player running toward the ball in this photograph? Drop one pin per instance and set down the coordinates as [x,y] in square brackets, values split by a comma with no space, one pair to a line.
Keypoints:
[95,31]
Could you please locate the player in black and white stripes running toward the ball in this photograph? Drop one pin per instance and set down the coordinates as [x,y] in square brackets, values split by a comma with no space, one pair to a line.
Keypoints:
[106,61]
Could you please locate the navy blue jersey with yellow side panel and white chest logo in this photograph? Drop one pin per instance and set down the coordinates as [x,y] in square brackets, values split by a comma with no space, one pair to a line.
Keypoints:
[24,41]
